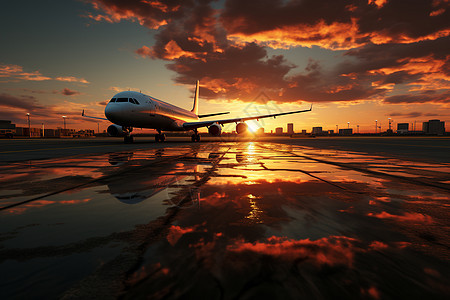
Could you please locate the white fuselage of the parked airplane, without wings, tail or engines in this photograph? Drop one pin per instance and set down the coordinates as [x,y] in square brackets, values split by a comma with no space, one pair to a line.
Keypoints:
[149,113]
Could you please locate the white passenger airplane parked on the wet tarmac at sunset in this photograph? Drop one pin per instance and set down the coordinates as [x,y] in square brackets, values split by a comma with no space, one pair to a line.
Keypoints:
[129,109]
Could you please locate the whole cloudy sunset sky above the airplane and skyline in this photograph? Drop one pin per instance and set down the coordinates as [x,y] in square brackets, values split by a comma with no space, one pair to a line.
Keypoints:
[356,61]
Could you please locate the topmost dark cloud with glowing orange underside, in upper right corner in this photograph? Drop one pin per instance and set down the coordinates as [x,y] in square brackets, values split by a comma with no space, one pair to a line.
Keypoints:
[363,21]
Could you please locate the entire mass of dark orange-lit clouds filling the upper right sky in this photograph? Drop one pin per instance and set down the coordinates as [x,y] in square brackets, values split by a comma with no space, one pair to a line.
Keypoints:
[391,43]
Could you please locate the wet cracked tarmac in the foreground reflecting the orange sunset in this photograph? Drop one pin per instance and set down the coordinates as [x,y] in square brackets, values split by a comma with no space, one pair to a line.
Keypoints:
[229,220]
